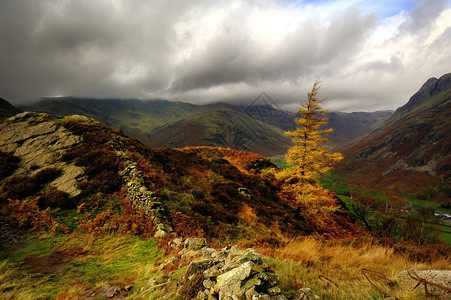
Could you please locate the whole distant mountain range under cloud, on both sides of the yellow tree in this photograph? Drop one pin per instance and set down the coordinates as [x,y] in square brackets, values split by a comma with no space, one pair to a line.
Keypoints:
[160,123]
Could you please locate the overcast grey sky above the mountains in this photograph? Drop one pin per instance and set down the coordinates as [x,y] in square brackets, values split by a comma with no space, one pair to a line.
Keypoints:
[370,55]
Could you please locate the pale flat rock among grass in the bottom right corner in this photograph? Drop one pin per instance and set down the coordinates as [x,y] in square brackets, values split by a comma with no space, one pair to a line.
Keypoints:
[439,277]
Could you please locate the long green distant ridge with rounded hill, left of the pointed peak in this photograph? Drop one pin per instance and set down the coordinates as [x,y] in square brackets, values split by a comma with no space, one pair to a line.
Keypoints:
[162,123]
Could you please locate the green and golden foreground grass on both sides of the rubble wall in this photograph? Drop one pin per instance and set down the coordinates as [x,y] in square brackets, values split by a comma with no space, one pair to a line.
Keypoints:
[79,266]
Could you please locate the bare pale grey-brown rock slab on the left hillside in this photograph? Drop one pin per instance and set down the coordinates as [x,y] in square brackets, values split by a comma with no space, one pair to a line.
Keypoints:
[39,141]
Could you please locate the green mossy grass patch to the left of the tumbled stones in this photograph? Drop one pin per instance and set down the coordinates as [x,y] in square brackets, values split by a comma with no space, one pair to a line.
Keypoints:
[75,266]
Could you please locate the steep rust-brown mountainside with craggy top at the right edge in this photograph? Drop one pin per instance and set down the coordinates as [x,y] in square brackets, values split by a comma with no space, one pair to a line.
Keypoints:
[410,150]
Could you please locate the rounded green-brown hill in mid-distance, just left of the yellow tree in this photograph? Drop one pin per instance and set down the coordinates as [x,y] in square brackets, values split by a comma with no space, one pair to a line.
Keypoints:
[225,128]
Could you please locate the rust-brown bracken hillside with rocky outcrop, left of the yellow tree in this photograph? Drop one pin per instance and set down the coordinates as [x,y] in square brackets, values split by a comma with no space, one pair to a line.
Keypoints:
[193,191]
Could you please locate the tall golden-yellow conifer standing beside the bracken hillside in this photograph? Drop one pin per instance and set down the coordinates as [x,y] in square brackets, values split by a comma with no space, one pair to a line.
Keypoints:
[309,157]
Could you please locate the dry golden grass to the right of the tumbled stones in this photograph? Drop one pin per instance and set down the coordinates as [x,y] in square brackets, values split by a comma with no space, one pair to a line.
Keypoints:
[302,262]
